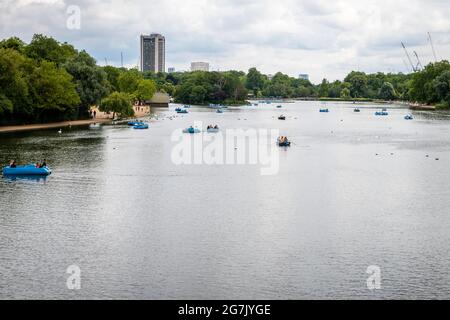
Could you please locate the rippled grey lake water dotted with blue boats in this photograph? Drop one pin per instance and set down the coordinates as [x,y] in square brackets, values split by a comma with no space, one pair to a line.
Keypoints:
[353,191]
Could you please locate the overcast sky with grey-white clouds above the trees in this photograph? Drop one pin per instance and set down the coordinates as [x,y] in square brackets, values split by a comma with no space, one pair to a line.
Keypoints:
[318,37]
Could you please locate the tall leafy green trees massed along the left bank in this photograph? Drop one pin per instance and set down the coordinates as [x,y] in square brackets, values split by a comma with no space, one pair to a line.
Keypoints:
[46,81]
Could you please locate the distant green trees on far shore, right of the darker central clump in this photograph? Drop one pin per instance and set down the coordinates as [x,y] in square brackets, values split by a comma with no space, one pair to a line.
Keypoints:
[429,86]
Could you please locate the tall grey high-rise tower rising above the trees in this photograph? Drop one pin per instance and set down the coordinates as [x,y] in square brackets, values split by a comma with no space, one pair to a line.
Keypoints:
[153,53]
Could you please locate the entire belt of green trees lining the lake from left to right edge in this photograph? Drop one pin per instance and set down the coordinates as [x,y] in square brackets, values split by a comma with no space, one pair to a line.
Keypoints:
[46,81]
